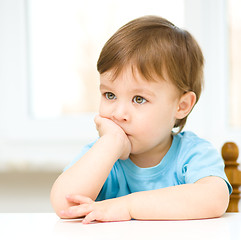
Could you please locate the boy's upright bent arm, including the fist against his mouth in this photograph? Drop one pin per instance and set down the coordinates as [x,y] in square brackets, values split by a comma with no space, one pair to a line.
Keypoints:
[87,176]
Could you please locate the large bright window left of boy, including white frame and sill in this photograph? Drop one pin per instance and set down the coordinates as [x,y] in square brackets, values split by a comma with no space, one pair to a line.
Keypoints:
[49,83]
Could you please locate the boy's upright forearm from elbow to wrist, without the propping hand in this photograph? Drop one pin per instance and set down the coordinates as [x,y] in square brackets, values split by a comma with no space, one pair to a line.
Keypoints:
[87,176]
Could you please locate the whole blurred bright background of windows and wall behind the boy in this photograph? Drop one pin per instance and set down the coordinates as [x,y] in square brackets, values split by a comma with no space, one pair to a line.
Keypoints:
[49,82]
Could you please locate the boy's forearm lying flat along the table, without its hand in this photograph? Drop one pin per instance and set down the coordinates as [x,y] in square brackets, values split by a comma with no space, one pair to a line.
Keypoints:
[189,201]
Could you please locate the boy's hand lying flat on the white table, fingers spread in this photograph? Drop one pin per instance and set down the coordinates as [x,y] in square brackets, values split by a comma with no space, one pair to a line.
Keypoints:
[105,211]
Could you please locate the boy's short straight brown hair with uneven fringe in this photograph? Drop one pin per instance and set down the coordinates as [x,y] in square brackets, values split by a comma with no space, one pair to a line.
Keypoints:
[156,46]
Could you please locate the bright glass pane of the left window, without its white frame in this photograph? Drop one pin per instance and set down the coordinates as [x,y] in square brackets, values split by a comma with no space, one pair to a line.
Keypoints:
[65,39]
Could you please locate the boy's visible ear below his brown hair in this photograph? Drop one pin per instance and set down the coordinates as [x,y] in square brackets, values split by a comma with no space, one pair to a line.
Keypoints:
[185,105]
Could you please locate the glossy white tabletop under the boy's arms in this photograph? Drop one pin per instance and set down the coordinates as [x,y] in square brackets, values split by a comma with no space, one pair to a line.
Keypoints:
[46,226]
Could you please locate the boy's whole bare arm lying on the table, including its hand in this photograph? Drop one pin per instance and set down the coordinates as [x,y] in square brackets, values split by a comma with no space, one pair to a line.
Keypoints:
[207,198]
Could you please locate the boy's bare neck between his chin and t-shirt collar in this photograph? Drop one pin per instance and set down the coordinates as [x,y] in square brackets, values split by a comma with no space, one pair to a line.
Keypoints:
[152,157]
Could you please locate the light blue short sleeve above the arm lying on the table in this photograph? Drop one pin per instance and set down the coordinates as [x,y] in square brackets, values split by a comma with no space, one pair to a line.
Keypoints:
[200,159]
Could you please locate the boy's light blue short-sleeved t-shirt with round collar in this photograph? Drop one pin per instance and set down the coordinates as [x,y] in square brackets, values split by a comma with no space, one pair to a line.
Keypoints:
[189,159]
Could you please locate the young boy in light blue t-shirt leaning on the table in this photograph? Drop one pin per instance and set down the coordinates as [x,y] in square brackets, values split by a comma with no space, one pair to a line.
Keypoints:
[151,75]
